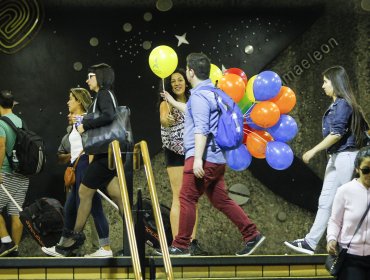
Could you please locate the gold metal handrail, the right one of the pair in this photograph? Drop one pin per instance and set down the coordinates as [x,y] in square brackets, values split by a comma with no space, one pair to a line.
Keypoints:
[142,145]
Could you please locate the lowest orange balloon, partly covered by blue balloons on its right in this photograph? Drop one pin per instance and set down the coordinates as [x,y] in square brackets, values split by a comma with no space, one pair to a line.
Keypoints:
[257,142]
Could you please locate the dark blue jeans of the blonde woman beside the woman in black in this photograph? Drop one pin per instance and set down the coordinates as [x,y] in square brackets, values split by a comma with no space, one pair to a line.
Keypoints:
[73,201]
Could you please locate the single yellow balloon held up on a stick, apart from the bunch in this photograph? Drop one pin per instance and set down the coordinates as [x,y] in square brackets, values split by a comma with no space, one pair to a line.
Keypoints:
[163,61]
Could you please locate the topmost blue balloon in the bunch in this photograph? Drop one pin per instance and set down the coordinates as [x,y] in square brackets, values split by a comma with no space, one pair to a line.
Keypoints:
[266,85]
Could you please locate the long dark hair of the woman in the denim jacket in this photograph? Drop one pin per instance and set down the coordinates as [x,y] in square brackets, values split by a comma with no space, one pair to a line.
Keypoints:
[342,89]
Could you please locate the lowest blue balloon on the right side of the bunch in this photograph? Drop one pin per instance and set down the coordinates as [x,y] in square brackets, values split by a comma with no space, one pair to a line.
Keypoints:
[279,155]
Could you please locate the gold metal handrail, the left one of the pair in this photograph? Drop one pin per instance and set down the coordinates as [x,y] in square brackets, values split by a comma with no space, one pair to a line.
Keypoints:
[126,207]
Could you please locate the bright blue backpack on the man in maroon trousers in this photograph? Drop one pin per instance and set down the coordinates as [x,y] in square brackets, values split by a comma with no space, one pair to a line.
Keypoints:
[229,134]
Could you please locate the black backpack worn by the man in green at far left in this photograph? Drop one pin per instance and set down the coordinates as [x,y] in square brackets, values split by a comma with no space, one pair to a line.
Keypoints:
[28,156]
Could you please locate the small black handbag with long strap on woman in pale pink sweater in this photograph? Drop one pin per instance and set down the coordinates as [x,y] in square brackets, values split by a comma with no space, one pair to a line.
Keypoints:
[334,263]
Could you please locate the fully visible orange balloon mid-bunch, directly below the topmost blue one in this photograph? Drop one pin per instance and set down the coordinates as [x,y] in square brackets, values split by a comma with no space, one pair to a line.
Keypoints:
[265,114]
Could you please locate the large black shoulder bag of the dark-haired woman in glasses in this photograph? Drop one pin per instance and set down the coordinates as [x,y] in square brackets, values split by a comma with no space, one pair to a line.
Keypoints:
[97,140]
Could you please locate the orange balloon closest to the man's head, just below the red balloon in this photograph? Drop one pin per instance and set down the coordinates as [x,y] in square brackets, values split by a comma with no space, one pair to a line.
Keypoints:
[233,85]
